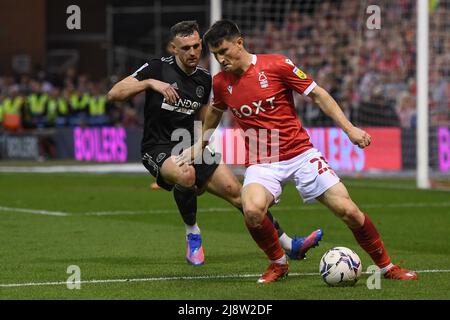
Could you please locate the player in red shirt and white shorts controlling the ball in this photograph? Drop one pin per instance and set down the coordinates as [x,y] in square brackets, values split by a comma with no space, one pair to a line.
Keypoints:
[258,91]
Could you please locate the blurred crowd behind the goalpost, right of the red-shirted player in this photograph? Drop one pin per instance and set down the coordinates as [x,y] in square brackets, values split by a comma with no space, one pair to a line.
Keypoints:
[371,73]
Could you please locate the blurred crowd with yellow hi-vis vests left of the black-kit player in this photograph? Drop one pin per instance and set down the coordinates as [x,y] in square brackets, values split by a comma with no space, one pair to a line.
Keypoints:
[34,102]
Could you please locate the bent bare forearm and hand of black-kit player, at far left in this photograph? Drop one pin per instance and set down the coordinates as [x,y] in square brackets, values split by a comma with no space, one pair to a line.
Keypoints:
[130,86]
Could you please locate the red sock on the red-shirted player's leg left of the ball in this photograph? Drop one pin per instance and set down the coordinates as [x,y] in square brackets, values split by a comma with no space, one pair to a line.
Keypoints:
[266,237]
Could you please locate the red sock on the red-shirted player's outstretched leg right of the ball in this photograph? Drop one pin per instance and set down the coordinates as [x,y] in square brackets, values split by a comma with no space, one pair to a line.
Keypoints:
[369,239]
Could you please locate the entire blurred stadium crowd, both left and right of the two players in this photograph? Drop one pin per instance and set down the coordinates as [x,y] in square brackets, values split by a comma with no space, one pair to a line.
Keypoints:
[371,73]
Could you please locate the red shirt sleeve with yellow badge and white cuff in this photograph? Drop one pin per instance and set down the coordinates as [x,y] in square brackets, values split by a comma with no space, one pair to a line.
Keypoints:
[295,78]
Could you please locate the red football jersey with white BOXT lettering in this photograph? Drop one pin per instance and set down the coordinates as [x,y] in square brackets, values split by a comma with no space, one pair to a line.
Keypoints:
[260,99]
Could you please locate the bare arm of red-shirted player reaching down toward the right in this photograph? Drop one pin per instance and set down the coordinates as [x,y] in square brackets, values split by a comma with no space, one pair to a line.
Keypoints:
[330,107]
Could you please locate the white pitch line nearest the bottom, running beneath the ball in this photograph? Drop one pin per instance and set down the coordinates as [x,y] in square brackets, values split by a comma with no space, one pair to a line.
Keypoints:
[181,278]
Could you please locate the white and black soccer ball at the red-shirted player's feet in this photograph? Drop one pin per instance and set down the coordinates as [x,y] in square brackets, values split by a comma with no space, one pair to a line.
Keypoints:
[340,267]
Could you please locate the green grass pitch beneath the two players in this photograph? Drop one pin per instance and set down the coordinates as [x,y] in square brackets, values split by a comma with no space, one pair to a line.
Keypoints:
[115,228]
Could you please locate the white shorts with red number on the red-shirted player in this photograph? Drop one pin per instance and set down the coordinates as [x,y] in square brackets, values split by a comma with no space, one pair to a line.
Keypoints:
[309,171]
